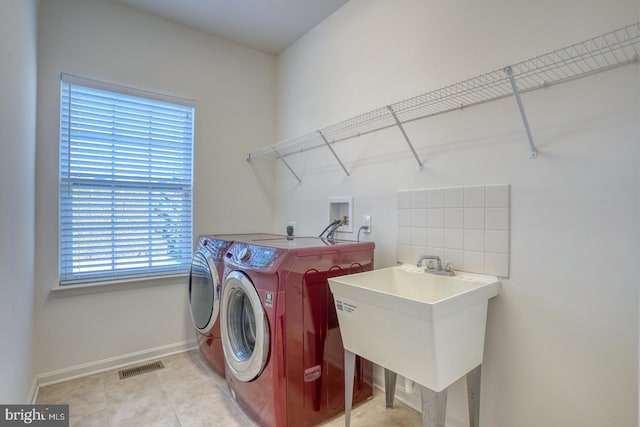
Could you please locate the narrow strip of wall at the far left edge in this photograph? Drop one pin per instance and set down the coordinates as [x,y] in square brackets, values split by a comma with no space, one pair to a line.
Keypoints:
[18,35]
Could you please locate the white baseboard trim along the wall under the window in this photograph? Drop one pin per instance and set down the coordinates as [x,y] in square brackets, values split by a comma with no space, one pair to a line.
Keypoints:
[109,364]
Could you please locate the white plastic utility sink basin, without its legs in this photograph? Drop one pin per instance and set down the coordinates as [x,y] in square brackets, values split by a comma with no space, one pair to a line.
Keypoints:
[425,327]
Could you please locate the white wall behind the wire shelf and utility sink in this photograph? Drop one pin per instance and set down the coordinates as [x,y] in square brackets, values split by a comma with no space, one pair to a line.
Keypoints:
[562,336]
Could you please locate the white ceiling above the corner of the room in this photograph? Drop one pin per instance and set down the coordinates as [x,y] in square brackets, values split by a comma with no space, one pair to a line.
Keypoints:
[267,25]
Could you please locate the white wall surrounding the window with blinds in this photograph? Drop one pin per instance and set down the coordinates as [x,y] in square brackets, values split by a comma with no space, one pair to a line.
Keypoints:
[233,88]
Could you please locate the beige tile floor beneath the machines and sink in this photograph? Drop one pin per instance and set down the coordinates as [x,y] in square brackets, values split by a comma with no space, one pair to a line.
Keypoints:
[185,393]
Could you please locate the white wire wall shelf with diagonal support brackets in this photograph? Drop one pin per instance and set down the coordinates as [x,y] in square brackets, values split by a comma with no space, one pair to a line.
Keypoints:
[607,51]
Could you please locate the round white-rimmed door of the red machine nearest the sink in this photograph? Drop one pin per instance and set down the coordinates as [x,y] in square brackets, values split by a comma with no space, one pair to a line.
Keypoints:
[245,329]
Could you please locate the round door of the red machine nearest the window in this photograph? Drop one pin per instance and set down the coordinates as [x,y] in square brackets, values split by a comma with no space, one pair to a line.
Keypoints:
[204,291]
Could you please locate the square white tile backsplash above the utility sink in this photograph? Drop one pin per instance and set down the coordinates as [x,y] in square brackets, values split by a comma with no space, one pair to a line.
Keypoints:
[467,226]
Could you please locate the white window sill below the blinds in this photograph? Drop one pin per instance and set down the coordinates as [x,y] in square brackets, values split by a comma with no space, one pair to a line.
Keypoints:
[119,285]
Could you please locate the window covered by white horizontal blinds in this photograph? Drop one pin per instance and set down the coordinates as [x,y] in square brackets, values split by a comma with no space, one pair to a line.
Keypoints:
[125,182]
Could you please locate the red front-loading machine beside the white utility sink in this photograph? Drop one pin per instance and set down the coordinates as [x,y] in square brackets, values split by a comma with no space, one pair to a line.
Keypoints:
[280,333]
